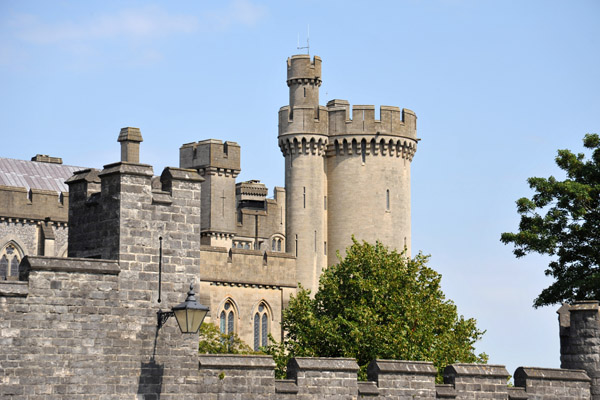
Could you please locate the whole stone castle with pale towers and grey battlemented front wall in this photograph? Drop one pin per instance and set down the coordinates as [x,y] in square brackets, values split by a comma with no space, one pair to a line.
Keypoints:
[85,326]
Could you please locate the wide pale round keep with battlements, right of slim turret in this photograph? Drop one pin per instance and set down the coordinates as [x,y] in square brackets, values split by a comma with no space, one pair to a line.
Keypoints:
[368,175]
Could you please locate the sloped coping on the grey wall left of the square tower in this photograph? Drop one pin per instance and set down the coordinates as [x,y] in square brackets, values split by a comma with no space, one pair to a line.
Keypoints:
[61,264]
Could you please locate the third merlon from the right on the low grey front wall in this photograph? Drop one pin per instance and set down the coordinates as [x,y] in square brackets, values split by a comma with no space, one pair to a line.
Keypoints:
[403,379]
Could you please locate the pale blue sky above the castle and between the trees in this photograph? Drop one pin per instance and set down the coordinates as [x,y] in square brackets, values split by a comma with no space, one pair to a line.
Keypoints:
[498,87]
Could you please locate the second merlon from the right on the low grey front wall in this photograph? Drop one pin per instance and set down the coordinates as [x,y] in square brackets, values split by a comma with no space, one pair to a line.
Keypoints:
[478,381]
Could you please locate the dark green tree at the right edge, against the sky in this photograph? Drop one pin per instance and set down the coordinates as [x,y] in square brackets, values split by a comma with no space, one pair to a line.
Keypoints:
[562,219]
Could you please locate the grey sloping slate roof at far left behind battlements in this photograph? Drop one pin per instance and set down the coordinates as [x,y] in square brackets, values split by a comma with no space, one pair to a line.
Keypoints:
[35,175]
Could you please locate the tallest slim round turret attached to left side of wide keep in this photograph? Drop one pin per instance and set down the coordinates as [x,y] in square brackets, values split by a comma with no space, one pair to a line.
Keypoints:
[303,140]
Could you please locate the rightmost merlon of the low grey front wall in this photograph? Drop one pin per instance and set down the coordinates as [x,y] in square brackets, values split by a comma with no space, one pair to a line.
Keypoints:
[547,383]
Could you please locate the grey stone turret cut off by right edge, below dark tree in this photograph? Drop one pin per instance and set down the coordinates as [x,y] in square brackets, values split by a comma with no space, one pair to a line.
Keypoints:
[580,340]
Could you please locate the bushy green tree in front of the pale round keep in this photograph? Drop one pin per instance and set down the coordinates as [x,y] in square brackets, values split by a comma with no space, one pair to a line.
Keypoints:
[378,304]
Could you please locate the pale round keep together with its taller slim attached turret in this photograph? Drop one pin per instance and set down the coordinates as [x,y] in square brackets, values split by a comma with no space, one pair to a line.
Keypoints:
[346,173]
